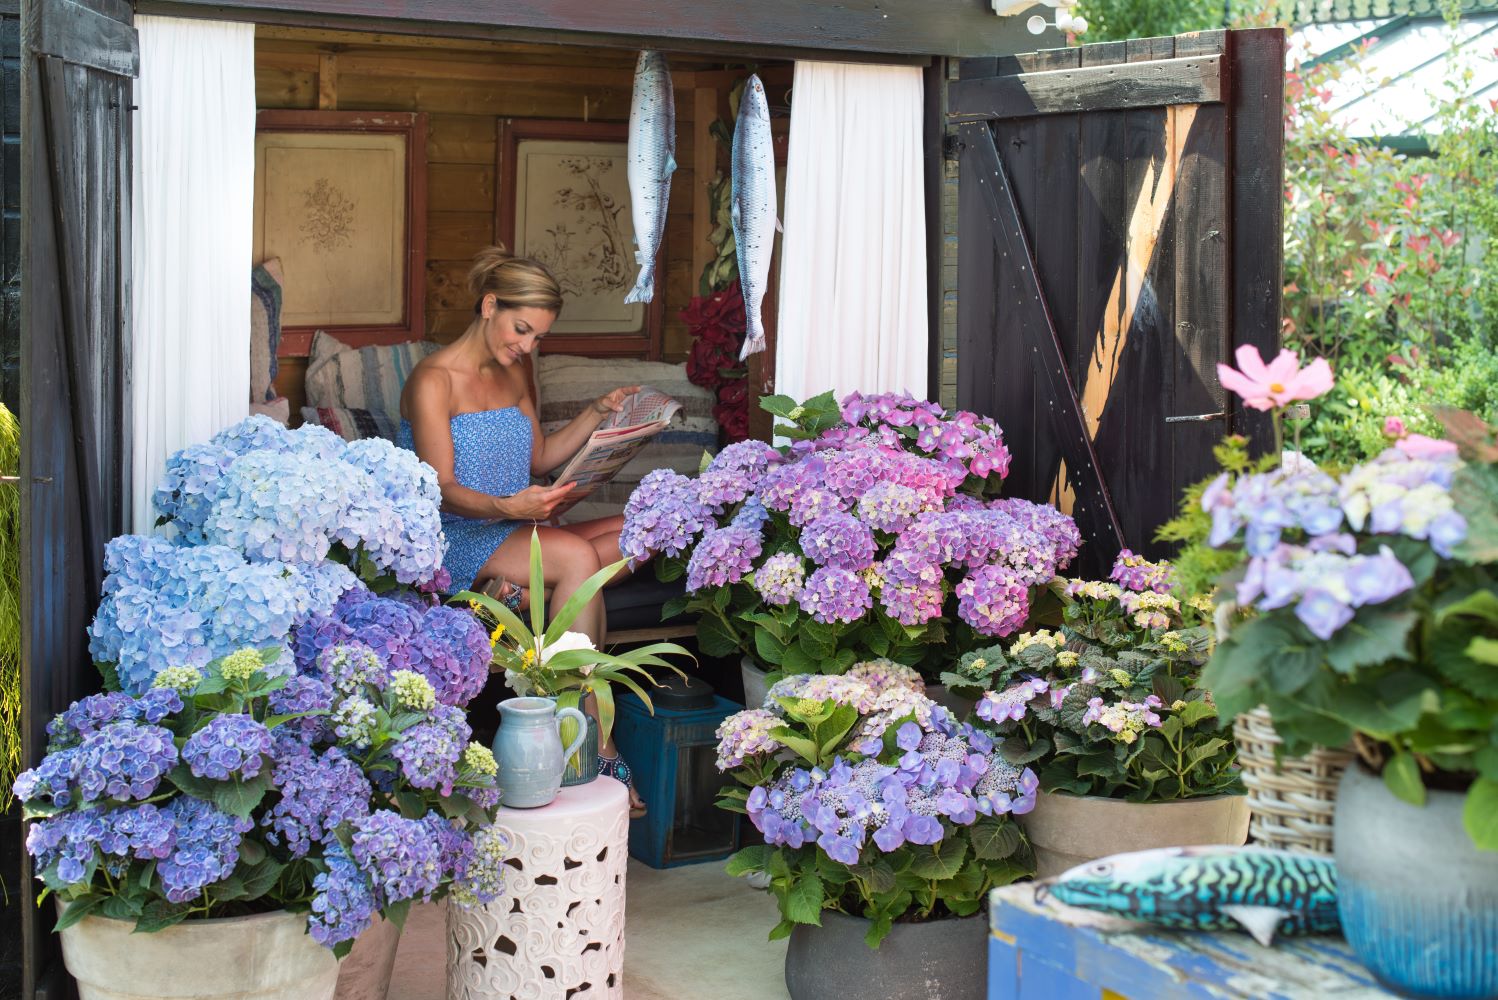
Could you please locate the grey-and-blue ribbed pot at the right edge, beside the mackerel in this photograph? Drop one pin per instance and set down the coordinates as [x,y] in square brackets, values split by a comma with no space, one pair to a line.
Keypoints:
[1419,902]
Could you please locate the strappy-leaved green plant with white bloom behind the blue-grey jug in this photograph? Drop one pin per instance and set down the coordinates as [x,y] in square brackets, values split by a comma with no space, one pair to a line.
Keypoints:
[557,662]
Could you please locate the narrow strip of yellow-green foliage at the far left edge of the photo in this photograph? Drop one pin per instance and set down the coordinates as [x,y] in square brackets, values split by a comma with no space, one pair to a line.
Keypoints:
[10,609]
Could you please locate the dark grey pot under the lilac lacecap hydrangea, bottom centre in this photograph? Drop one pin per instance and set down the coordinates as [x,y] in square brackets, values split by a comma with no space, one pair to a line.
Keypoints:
[938,960]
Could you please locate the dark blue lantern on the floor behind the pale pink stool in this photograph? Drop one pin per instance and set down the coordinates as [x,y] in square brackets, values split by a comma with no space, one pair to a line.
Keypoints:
[673,755]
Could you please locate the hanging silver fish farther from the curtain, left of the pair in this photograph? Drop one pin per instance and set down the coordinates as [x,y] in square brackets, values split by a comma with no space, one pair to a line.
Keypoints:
[652,161]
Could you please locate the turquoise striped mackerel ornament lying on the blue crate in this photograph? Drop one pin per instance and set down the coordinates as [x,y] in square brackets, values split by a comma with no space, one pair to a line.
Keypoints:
[1205,890]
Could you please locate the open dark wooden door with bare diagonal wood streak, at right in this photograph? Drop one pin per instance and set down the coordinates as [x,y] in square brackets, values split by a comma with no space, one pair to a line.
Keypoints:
[1120,234]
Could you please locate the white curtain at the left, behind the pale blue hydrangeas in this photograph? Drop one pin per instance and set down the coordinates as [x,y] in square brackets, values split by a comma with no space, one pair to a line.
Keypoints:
[191,240]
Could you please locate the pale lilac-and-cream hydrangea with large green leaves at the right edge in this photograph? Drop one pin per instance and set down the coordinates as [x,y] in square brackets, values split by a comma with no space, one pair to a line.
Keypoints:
[1380,628]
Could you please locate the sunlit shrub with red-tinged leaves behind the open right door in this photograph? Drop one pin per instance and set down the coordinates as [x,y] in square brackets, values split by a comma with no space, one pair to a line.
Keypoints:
[1385,252]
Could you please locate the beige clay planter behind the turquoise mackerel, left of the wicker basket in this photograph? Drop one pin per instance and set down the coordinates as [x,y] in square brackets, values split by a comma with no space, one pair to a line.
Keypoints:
[1070,830]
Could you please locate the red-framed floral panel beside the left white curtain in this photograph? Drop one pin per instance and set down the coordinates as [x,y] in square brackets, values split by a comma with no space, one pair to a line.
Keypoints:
[341,197]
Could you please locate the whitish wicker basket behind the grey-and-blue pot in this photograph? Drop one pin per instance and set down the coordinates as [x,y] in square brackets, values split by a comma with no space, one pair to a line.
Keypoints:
[1291,802]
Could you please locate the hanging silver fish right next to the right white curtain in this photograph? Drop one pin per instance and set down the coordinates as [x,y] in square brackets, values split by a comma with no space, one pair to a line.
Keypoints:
[754,207]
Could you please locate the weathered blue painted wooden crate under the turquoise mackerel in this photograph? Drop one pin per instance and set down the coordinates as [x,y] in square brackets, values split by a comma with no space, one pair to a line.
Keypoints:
[1034,956]
